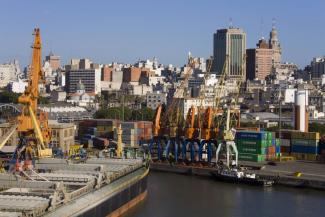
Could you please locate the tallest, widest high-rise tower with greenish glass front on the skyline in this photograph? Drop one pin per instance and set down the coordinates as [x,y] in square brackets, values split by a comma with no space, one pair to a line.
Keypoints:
[230,42]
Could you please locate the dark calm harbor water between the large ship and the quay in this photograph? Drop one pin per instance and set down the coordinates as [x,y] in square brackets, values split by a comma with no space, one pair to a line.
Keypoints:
[174,195]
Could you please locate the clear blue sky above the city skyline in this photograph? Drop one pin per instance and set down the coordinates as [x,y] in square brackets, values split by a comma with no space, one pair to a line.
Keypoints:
[128,30]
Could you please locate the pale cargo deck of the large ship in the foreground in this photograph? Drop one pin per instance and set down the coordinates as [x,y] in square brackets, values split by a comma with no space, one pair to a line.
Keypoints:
[57,187]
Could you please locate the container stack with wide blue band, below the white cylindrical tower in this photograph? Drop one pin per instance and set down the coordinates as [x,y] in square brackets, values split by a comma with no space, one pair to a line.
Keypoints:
[304,145]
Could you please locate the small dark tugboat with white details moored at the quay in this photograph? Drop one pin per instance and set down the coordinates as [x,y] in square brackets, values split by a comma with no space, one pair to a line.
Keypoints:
[237,175]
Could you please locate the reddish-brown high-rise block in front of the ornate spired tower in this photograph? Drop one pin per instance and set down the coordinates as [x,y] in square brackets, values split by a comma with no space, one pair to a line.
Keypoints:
[259,61]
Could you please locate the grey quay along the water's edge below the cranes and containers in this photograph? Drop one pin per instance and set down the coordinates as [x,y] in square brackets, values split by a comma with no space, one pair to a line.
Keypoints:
[313,174]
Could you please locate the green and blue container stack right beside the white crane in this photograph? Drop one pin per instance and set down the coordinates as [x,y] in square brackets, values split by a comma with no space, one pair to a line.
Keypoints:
[256,146]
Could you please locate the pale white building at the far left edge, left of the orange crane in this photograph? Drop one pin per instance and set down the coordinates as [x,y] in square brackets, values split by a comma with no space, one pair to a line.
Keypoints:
[9,72]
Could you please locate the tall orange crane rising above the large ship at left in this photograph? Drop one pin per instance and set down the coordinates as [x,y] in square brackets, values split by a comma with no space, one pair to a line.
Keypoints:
[33,123]
